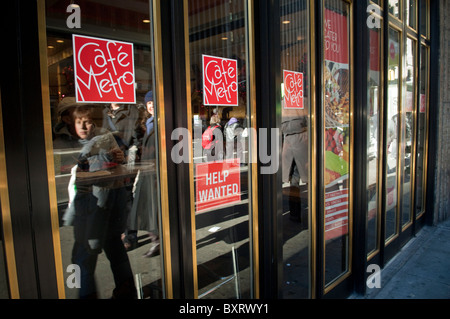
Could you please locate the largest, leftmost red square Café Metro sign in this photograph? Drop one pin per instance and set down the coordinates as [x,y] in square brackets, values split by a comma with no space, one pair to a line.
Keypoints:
[104,70]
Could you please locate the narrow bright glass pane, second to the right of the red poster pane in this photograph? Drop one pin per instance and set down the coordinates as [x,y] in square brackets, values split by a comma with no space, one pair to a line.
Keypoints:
[392,140]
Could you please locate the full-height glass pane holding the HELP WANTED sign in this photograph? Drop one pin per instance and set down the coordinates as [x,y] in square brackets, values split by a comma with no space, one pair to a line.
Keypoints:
[218,56]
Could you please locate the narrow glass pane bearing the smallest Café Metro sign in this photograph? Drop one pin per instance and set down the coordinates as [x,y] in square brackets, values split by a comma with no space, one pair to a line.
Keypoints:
[295,60]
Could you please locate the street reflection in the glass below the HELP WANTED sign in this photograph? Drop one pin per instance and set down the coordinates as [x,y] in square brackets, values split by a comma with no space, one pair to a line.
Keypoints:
[223,255]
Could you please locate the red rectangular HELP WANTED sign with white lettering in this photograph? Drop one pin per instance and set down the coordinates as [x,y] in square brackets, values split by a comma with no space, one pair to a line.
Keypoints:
[218,183]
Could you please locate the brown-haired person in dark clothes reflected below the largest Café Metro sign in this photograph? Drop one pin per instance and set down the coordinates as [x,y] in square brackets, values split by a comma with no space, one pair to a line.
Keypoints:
[99,207]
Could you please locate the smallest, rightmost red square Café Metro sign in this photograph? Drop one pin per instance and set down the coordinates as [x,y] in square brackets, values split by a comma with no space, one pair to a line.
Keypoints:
[293,89]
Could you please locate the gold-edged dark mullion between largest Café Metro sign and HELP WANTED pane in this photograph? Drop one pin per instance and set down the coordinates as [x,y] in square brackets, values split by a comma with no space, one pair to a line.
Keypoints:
[171,80]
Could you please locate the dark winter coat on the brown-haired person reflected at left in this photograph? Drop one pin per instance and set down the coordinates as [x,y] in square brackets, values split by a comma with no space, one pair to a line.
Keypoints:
[99,207]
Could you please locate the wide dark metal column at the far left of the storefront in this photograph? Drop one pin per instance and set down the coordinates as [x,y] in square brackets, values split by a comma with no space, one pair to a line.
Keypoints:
[25,150]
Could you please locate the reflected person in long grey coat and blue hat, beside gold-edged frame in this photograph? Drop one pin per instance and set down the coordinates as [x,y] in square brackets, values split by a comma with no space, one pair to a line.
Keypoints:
[144,212]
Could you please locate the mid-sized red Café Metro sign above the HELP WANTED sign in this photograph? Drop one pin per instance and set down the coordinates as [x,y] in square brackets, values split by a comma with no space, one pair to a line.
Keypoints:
[220,81]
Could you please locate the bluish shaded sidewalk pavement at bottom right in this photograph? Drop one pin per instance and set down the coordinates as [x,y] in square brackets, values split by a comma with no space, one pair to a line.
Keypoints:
[421,270]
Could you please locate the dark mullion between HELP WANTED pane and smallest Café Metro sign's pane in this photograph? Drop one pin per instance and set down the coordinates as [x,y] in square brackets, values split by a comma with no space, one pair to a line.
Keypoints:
[267,29]
